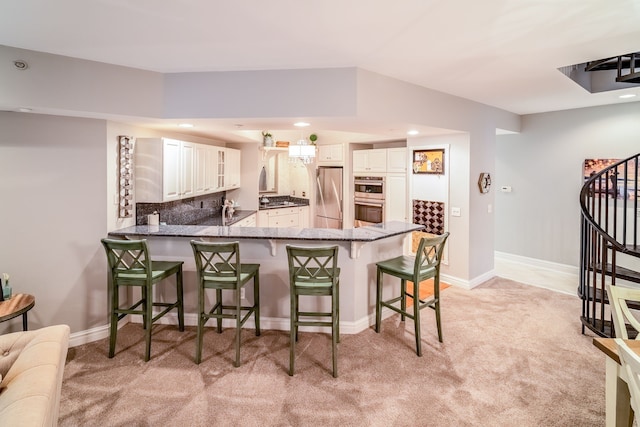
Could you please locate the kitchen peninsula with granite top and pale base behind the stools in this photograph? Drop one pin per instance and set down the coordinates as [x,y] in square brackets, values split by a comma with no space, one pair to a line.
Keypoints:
[360,249]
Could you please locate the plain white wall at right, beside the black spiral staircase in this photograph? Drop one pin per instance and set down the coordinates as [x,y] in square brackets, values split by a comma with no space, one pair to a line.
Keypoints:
[540,218]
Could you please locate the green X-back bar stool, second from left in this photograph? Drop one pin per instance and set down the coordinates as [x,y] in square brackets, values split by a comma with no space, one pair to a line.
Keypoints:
[218,267]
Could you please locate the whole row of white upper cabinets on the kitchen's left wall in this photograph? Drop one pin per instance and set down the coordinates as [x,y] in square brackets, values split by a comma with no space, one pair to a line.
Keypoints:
[169,169]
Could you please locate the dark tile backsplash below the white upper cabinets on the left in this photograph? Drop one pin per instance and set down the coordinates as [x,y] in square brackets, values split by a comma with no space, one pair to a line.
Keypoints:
[182,212]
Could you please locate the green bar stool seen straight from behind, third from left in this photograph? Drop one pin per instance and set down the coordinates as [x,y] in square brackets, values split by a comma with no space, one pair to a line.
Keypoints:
[314,271]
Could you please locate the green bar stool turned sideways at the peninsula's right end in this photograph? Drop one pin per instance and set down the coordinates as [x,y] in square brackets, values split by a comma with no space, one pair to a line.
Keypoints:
[425,265]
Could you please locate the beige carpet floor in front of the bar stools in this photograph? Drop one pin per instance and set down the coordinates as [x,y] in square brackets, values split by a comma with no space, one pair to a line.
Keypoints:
[513,355]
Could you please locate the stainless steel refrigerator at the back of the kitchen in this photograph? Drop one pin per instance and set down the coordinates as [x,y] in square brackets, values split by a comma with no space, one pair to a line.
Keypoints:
[329,197]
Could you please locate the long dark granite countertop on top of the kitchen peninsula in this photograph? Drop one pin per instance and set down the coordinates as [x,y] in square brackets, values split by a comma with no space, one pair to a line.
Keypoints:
[362,234]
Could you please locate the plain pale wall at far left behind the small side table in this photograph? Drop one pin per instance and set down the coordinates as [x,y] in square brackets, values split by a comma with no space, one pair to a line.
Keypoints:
[52,187]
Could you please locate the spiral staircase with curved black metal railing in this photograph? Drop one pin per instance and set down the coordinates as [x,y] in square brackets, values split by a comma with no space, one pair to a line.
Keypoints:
[609,247]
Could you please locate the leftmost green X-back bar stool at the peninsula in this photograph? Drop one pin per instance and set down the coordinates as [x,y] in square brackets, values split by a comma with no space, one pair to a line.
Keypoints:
[130,265]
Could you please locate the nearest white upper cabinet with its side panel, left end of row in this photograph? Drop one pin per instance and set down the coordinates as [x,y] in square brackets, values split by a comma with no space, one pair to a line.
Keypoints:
[164,170]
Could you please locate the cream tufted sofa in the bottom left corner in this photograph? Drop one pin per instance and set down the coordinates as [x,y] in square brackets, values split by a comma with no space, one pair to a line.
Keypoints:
[31,367]
